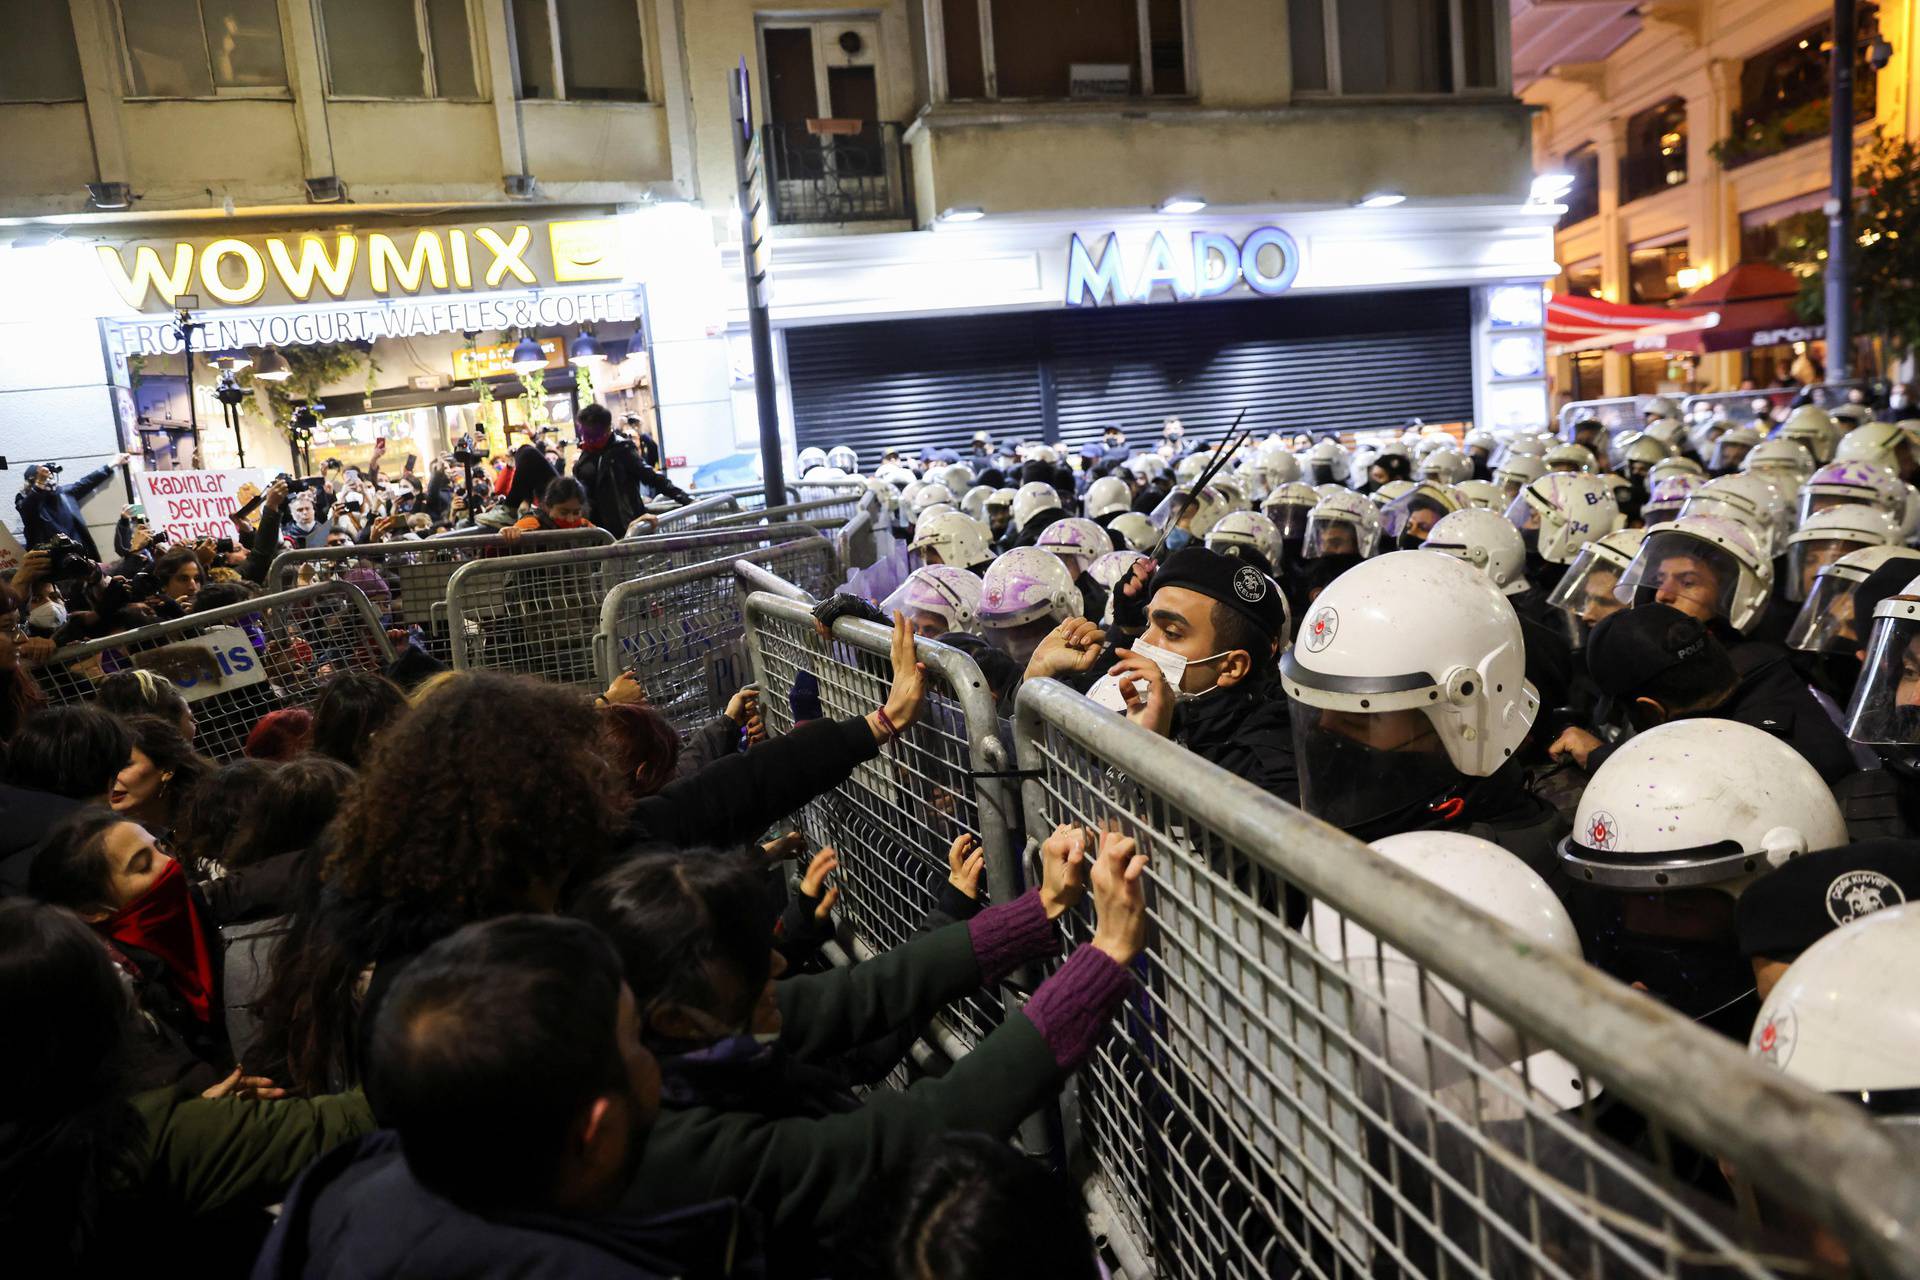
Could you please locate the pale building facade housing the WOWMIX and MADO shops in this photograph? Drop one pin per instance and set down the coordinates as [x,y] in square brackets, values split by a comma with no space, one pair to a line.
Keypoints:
[988,216]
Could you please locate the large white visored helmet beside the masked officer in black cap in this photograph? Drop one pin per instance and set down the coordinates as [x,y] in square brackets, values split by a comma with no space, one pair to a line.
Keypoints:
[1406,676]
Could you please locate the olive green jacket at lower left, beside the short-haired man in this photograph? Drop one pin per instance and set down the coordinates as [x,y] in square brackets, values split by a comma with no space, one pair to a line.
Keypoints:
[195,1156]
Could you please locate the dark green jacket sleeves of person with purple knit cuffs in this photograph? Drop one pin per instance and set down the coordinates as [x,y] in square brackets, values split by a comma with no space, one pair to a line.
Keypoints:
[809,1177]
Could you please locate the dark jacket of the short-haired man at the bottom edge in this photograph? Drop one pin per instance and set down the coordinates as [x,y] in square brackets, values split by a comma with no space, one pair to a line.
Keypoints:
[358,1212]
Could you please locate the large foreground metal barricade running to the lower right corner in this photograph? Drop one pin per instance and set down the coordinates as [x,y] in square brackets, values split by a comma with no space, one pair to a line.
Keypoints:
[1299,1101]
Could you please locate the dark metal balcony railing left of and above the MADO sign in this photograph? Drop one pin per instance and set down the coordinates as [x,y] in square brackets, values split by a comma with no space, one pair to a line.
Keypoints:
[838,172]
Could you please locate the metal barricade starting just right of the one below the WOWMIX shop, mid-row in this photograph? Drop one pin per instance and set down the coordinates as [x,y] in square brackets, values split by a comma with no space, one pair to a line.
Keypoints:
[539,615]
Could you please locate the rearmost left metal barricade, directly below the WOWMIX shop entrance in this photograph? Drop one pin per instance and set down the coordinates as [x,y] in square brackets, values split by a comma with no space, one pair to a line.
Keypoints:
[420,569]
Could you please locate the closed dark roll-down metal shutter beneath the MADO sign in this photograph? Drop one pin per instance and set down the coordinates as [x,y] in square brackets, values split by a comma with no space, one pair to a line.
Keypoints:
[1330,364]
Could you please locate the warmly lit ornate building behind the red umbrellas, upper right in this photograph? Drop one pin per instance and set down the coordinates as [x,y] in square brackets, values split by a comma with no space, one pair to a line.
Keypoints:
[1696,147]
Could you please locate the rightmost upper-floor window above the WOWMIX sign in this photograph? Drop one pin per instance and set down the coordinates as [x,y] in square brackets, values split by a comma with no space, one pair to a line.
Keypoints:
[581,51]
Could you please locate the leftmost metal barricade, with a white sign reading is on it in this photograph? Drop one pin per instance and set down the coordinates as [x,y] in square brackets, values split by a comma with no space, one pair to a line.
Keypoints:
[235,663]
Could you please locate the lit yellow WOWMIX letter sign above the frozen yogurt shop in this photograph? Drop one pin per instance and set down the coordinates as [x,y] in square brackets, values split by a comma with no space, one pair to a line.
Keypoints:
[297,268]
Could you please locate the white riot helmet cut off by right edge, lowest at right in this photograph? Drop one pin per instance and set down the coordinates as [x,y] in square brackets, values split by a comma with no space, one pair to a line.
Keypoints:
[1844,1018]
